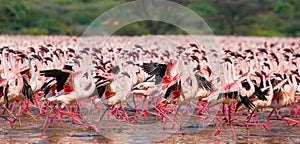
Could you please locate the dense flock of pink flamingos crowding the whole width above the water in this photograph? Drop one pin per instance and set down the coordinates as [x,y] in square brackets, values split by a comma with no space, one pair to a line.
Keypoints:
[50,77]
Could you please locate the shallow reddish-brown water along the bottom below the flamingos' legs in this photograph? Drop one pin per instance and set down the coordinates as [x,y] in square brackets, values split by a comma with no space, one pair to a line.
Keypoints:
[28,130]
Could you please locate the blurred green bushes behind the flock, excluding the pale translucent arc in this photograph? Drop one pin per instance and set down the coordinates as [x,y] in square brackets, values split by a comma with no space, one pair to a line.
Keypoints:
[225,17]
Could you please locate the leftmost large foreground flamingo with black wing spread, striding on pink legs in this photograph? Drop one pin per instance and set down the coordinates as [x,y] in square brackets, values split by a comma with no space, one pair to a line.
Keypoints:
[70,91]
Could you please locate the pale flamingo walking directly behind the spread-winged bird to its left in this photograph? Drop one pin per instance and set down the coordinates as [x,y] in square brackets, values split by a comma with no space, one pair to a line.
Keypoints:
[117,89]
